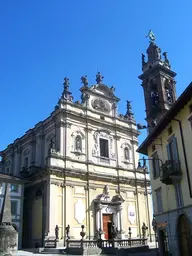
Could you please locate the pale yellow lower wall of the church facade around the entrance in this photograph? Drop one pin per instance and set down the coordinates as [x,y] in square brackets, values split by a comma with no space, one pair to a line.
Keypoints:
[75,193]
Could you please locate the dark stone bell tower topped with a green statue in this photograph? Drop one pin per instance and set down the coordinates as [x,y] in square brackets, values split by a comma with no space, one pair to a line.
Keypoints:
[158,83]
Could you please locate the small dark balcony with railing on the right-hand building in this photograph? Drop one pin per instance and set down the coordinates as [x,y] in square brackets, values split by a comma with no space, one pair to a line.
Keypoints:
[170,172]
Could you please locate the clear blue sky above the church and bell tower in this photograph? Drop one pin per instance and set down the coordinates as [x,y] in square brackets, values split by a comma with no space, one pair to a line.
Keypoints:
[41,42]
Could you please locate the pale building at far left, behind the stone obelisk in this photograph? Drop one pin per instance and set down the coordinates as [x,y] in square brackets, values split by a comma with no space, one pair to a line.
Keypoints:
[16,187]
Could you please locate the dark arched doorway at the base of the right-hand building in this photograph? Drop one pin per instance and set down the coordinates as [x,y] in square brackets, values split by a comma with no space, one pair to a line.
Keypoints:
[184,235]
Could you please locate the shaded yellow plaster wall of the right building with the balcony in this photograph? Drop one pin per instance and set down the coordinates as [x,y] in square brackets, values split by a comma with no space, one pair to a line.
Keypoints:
[168,192]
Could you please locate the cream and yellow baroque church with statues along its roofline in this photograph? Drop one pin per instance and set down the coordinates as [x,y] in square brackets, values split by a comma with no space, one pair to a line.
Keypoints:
[81,168]
